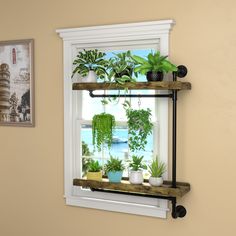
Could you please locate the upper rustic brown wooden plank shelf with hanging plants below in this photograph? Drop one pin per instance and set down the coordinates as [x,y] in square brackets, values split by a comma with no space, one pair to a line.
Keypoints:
[162,85]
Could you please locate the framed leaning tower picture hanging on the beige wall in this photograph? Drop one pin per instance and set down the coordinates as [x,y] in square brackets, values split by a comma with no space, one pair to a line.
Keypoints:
[17,83]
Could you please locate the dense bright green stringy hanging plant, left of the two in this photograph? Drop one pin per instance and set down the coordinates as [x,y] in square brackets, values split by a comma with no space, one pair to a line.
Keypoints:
[102,130]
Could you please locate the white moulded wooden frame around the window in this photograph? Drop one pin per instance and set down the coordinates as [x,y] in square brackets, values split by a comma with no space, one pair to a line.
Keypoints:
[120,35]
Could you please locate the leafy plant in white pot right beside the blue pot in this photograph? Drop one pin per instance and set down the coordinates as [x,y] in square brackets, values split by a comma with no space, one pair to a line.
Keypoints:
[136,170]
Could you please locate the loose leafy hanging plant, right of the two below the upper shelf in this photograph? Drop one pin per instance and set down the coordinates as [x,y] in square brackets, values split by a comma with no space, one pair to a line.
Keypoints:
[140,126]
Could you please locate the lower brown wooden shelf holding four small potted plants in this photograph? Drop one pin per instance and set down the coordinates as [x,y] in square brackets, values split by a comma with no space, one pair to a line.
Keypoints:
[143,189]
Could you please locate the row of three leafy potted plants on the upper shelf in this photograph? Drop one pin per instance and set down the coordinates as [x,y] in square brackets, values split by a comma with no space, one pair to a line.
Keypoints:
[123,67]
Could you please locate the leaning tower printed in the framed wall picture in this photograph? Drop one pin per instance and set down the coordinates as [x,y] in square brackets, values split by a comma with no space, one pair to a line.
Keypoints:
[4,93]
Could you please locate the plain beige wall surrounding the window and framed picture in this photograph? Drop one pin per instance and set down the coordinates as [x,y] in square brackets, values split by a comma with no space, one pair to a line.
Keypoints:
[31,159]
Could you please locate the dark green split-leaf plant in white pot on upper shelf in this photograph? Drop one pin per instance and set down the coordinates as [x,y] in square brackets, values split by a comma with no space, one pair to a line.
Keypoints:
[90,64]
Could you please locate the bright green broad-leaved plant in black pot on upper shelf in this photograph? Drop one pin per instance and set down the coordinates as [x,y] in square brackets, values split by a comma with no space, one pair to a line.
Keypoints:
[154,66]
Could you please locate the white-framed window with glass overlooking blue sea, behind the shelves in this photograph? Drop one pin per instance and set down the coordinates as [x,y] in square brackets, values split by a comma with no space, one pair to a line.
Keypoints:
[79,109]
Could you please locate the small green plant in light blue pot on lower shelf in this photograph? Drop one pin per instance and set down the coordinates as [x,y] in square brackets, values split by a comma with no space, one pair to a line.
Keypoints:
[114,169]
